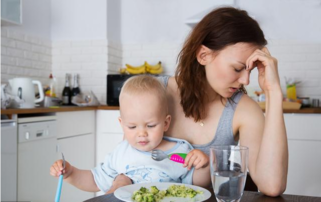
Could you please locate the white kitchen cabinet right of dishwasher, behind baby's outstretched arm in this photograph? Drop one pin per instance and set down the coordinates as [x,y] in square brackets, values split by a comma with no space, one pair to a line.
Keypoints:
[76,139]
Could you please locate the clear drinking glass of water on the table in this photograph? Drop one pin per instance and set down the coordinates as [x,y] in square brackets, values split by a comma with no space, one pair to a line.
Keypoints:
[228,171]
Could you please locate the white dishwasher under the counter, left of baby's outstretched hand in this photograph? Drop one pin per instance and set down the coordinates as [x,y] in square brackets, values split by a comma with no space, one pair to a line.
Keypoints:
[36,153]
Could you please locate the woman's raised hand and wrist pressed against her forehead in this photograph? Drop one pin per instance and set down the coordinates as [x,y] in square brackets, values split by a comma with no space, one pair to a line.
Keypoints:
[267,69]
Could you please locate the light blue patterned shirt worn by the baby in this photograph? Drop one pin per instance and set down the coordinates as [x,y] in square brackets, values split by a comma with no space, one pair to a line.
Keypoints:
[140,167]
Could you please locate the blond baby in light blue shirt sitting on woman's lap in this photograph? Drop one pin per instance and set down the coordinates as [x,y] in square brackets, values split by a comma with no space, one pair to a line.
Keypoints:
[144,119]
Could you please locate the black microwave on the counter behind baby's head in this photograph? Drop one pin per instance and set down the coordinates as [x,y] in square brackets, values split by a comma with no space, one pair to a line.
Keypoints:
[114,84]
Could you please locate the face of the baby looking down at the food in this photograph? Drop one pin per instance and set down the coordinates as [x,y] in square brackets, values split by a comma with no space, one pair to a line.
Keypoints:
[143,120]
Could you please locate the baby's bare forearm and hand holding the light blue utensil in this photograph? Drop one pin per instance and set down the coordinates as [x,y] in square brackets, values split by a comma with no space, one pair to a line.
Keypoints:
[82,179]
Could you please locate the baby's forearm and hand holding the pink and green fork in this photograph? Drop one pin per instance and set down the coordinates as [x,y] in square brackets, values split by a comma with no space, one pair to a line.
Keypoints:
[198,159]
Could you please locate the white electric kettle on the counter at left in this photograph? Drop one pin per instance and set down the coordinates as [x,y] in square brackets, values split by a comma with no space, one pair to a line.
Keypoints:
[24,89]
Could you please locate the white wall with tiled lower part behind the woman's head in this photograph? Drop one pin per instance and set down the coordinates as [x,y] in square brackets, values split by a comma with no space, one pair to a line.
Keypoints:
[154,30]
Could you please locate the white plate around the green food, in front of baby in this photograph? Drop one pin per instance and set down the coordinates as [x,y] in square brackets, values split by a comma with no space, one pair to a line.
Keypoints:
[125,193]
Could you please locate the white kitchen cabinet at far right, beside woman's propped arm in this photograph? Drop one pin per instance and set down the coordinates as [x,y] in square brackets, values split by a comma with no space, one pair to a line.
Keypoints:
[304,140]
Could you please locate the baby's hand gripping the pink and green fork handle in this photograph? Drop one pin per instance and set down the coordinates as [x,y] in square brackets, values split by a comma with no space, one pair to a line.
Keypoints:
[196,158]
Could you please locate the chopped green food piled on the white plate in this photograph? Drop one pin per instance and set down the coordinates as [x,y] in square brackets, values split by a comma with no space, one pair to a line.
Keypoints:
[155,195]
